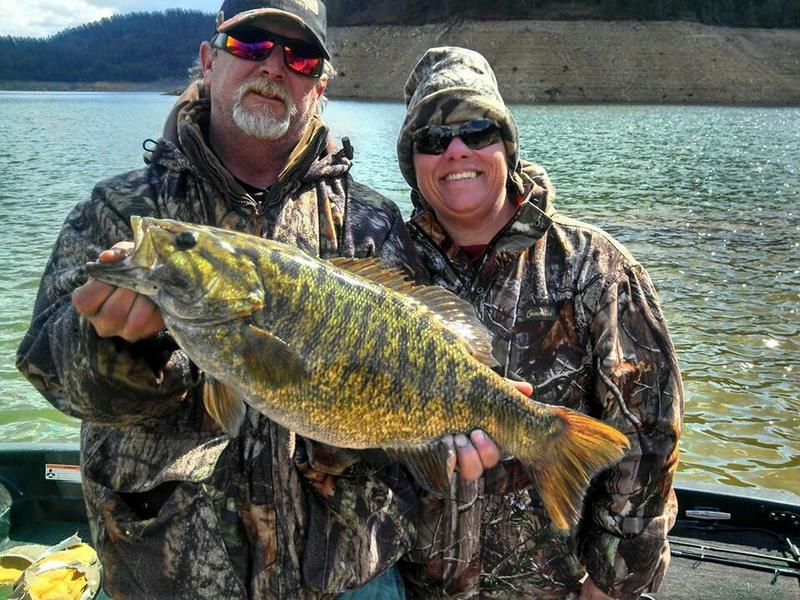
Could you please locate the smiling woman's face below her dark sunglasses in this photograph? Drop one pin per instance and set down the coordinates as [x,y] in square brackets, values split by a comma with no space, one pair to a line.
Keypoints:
[462,185]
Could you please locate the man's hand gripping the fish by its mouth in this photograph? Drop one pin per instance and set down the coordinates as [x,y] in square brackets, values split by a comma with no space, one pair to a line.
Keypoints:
[115,311]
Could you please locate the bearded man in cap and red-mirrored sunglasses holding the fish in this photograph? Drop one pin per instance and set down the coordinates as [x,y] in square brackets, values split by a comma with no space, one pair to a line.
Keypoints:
[177,508]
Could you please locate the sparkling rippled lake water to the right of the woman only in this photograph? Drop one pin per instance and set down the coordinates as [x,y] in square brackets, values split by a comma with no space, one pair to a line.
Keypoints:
[708,199]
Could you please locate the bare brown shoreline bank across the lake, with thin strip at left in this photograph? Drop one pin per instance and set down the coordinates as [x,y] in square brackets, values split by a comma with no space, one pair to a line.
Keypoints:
[562,62]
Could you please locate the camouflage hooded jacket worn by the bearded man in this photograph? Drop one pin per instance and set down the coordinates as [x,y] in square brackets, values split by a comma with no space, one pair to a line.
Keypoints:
[178,509]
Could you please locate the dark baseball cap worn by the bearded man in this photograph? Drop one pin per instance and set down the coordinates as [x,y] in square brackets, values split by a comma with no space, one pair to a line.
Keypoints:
[309,14]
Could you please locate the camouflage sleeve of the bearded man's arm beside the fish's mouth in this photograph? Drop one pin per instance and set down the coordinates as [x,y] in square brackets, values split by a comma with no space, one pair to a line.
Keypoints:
[103,380]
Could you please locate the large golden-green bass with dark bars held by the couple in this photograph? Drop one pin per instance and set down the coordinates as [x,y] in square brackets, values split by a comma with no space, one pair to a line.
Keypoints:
[353,355]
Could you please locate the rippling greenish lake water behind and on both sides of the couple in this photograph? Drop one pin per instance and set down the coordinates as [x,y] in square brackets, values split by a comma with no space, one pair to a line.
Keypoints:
[708,198]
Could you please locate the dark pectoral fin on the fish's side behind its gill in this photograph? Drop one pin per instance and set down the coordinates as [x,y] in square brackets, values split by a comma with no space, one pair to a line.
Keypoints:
[272,361]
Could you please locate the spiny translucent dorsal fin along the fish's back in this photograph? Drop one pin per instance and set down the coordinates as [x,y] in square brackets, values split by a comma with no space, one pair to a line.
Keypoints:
[456,314]
